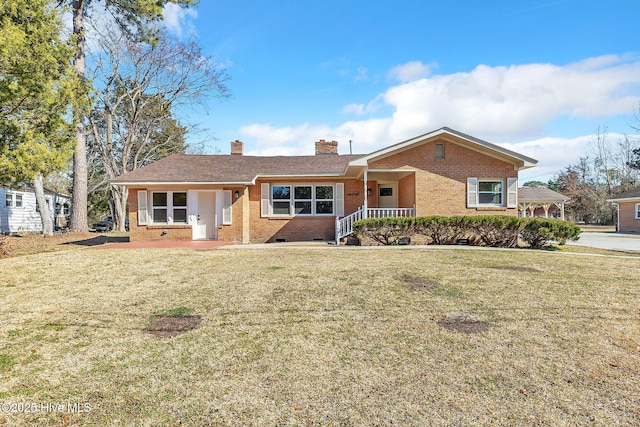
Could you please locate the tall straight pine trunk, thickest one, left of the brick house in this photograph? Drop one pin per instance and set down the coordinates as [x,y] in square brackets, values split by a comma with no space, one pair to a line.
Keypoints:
[78,220]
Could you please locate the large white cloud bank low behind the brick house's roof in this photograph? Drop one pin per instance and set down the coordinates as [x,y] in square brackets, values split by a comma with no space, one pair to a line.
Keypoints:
[498,104]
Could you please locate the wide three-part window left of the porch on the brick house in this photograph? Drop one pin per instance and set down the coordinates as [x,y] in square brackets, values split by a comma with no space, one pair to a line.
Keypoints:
[289,200]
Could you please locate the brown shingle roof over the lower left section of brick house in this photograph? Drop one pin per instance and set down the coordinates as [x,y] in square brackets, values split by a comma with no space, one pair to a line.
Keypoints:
[187,168]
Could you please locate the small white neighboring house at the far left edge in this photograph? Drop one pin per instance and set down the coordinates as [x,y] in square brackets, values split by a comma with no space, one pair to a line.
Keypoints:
[19,213]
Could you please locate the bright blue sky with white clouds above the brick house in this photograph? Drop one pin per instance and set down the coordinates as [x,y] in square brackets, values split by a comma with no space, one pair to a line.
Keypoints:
[536,77]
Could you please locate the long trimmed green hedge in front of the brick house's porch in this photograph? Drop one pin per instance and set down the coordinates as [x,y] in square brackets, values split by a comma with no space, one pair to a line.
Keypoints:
[486,230]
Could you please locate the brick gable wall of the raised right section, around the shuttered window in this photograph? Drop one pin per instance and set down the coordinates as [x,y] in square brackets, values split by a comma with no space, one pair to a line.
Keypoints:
[441,185]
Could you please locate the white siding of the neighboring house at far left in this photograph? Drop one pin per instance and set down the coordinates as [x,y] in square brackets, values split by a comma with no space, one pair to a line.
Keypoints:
[25,218]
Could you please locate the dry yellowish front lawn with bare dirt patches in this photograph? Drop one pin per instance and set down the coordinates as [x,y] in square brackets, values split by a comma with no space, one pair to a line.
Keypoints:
[322,336]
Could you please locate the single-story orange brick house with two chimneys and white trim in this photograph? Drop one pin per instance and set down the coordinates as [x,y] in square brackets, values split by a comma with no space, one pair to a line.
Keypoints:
[292,198]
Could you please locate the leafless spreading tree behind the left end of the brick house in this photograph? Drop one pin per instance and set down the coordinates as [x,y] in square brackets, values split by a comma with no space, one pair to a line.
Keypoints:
[141,86]
